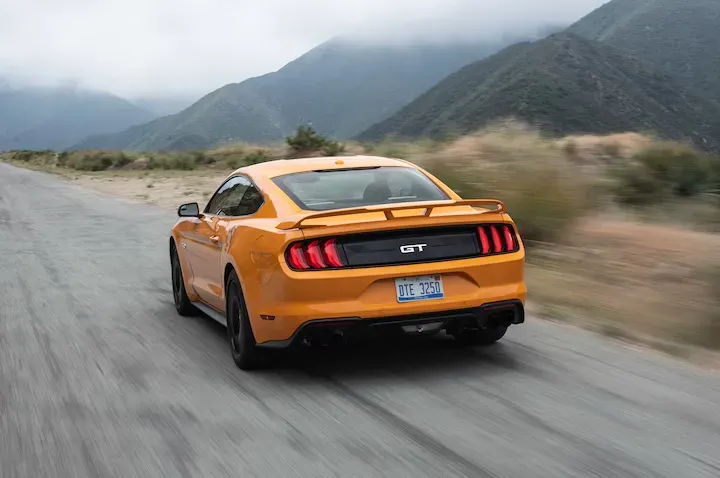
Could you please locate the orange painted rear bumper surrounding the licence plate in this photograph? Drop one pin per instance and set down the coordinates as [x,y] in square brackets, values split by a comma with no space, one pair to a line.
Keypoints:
[282,301]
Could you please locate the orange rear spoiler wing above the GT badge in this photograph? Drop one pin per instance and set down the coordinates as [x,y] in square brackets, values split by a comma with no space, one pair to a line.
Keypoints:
[388,209]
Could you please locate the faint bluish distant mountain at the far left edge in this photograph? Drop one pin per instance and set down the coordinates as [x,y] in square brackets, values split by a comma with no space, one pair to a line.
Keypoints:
[56,118]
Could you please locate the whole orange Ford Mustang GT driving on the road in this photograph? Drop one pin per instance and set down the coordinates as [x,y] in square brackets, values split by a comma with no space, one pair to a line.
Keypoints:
[307,250]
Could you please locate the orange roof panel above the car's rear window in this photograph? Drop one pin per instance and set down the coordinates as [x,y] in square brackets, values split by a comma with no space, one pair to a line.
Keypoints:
[271,169]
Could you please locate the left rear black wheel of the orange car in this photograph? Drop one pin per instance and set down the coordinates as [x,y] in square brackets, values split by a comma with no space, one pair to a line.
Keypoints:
[240,336]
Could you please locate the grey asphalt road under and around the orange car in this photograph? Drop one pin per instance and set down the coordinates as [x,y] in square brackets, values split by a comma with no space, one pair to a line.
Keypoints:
[100,377]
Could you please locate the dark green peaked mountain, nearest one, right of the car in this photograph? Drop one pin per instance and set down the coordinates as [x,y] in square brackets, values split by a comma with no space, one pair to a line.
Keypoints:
[564,84]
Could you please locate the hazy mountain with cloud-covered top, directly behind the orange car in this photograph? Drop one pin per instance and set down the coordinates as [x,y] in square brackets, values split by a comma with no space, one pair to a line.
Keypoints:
[339,87]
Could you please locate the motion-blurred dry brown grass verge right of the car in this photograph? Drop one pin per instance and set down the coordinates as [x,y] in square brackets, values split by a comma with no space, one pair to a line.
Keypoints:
[647,282]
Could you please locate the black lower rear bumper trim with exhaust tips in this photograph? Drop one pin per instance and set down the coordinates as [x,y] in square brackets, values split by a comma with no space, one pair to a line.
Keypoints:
[506,313]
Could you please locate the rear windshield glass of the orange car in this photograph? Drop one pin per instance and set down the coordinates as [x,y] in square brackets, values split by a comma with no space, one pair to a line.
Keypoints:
[357,187]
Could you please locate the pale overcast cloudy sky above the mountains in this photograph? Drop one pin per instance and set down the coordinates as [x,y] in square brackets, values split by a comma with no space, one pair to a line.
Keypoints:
[148,47]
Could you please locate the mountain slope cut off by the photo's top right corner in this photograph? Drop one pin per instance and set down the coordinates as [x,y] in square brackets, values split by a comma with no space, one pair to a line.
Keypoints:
[681,37]
